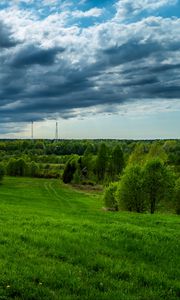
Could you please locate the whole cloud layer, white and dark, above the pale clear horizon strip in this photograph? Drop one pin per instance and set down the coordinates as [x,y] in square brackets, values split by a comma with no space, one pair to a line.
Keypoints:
[61,59]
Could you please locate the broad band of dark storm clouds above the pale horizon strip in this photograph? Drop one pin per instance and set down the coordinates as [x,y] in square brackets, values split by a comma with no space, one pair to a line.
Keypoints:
[36,83]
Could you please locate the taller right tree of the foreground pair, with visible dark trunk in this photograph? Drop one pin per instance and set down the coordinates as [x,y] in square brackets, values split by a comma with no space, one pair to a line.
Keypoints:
[158,182]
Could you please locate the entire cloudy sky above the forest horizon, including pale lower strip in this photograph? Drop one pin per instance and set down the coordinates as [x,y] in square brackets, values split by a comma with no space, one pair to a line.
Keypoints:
[100,68]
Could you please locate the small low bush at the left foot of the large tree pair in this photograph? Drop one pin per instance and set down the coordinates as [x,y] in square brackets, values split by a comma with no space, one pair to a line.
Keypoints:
[110,200]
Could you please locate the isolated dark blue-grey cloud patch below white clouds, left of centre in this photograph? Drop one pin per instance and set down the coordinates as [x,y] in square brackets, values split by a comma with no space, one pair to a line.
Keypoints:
[32,55]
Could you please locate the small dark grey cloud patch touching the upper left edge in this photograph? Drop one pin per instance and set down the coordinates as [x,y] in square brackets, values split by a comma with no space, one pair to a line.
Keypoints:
[6,39]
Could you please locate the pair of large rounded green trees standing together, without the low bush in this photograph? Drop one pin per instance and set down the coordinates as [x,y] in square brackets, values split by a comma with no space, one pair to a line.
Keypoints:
[142,188]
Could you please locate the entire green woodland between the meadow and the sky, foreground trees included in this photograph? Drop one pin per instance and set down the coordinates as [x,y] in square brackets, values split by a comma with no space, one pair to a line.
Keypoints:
[135,175]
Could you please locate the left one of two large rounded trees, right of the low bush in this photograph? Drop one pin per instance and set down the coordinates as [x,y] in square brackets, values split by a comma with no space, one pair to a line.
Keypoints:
[130,192]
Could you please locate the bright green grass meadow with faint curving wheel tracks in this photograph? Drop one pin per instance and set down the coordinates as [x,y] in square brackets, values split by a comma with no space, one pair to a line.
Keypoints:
[57,243]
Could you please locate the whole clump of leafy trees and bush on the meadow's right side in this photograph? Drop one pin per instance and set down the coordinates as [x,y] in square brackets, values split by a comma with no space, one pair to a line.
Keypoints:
[141,188]
